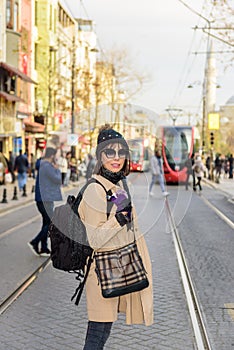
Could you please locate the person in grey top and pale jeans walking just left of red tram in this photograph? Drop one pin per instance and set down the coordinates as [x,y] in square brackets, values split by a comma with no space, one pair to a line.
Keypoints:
[157,173]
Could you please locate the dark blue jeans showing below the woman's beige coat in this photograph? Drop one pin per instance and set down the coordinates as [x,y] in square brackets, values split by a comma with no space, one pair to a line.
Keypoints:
[97,335]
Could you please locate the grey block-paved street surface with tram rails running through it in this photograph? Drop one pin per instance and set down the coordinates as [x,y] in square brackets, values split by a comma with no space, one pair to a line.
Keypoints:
[44,318]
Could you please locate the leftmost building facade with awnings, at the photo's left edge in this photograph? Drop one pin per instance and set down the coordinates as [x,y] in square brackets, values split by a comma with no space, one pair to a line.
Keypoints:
[15,80]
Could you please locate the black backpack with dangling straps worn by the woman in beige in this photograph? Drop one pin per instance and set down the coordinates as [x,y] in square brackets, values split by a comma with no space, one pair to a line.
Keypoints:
[70,250]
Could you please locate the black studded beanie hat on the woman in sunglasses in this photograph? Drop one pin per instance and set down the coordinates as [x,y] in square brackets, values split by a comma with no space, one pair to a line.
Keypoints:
[107,136]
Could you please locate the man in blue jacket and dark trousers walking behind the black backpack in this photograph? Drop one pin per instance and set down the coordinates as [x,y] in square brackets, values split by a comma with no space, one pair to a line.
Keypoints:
[47,190]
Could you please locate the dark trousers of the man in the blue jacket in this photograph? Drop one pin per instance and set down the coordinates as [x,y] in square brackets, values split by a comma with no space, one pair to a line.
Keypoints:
[46,209]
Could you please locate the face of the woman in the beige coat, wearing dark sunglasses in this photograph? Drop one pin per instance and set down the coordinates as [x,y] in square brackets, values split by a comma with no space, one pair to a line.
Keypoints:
[113,157]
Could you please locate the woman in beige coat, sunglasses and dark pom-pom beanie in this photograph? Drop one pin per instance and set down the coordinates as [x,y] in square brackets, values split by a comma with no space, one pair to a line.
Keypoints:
[112,166]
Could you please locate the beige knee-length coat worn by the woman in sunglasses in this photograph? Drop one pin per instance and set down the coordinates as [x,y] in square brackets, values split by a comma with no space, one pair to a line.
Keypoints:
[104,235]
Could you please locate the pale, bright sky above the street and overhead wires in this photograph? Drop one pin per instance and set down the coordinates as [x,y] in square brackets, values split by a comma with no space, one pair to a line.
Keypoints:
[161,42]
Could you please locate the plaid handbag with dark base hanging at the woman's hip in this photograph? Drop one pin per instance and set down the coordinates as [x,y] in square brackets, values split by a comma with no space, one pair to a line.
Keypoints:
[120,271]
